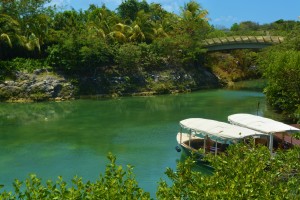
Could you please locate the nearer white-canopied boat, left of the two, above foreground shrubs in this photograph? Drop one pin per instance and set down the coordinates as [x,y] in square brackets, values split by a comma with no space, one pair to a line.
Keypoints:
[213,136]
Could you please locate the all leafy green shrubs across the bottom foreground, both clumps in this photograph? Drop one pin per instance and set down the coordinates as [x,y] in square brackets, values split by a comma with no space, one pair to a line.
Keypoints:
[245,172]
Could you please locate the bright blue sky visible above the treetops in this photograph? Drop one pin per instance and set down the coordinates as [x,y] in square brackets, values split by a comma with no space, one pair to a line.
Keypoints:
[222,13]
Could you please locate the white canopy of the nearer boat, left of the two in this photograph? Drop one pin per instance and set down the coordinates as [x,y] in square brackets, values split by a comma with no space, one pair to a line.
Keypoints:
[217,129]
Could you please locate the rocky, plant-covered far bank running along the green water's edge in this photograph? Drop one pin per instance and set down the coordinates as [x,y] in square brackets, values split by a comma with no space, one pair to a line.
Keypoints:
[42,85]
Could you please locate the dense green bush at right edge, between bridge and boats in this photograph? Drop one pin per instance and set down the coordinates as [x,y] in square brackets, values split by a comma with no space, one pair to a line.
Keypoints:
[282,70]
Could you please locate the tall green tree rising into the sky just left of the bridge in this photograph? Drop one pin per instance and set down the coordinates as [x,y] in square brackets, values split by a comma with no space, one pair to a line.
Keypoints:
[187,33]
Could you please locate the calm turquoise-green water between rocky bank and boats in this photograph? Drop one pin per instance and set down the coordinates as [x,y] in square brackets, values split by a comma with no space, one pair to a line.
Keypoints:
[73,138]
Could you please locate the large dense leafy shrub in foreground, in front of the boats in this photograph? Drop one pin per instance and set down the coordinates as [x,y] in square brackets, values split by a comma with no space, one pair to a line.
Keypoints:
[242,173]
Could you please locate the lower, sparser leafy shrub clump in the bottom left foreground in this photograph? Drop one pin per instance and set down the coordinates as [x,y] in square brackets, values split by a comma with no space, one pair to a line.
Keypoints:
[117,183]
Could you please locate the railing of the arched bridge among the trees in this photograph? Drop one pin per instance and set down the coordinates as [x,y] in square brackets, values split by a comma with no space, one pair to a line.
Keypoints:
[243,39]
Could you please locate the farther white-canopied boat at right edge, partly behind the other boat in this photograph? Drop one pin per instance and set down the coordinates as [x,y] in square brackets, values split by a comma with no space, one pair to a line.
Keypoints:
[280,134]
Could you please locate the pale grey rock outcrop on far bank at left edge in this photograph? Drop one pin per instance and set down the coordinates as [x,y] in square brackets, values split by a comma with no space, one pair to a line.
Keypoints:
[40,85]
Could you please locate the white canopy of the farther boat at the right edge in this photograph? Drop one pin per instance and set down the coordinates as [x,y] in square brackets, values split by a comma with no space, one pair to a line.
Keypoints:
[261,124]
